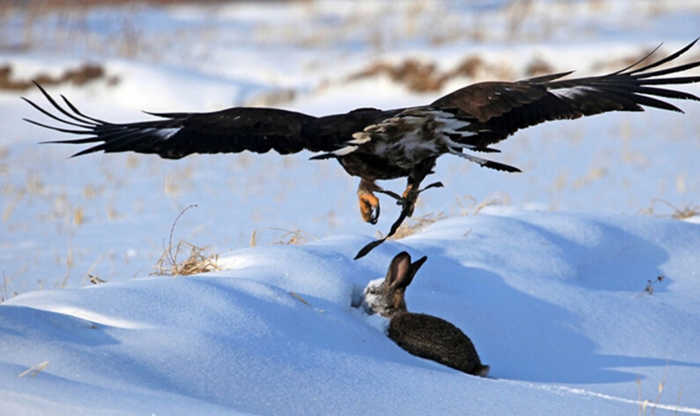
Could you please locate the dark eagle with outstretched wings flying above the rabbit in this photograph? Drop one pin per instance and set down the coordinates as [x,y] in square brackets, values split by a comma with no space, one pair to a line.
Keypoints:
[375,144]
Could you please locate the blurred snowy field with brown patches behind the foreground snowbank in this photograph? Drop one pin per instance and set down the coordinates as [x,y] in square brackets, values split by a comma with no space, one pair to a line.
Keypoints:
[109,216]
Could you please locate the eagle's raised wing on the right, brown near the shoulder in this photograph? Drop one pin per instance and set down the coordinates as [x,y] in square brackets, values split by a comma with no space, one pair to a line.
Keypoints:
[498,109]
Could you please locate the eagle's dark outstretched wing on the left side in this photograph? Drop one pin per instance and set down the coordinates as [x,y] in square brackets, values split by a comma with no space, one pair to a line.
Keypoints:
[228,131]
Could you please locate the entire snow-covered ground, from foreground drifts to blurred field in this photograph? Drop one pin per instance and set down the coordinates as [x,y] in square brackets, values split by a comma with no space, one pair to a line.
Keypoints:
[558,286]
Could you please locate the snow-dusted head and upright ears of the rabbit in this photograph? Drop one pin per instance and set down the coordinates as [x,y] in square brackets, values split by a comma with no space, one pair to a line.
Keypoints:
[386,297]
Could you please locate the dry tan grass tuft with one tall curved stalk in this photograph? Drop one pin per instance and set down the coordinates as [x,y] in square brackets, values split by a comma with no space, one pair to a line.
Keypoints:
[196,262]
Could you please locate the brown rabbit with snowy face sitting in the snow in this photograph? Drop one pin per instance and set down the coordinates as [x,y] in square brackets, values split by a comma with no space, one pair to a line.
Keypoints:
[422,335]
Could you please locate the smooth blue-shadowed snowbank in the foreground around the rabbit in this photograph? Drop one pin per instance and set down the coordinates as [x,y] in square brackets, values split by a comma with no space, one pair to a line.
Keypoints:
[555,303]
